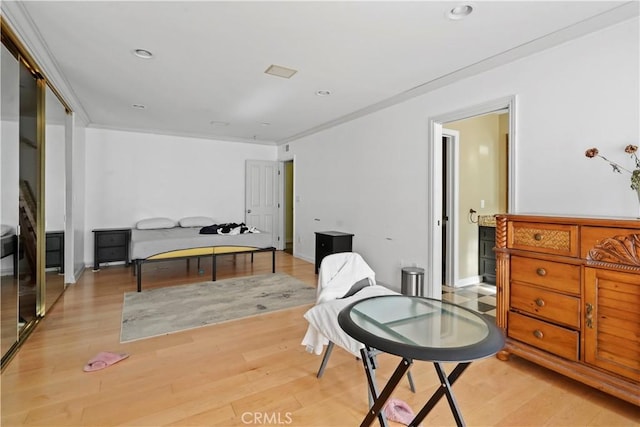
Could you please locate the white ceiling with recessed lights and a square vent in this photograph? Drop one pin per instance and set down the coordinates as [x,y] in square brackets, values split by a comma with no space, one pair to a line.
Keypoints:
[207,75]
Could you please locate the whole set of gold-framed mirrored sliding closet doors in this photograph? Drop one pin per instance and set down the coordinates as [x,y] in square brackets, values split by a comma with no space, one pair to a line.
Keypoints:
[33,197]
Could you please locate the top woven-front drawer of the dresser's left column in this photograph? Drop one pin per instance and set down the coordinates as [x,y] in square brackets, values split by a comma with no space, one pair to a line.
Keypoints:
[558,239]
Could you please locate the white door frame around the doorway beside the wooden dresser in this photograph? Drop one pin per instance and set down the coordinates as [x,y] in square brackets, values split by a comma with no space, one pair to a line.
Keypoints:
[434,188]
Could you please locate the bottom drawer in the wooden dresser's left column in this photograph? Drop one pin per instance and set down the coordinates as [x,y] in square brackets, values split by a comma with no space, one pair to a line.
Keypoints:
[545,336]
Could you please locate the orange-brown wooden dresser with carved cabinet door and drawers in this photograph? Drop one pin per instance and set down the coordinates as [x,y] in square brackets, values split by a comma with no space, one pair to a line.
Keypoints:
[568,297]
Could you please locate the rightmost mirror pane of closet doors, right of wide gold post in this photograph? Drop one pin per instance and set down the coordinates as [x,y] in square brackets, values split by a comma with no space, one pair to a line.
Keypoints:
[55,119]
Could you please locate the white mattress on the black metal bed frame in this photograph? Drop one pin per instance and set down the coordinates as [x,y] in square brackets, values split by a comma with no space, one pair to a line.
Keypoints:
[145,243]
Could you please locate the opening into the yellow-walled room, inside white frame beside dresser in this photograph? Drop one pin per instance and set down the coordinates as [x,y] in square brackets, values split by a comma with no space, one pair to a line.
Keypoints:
[476,190]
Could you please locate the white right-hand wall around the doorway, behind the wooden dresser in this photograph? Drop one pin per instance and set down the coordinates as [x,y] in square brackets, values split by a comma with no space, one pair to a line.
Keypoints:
[369,176]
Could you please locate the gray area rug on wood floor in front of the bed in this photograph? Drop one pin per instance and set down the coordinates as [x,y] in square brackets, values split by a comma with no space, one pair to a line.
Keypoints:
[163,311]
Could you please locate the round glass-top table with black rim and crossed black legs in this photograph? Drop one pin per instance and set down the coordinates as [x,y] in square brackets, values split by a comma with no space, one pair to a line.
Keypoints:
[417,328]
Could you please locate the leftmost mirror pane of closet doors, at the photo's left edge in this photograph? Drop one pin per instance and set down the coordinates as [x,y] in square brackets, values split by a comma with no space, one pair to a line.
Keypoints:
[9,137]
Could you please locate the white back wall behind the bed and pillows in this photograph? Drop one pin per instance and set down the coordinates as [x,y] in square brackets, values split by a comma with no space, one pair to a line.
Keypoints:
[131,176]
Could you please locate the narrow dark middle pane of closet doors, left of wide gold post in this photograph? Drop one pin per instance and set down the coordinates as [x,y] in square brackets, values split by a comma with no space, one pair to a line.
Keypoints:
[29,191]
